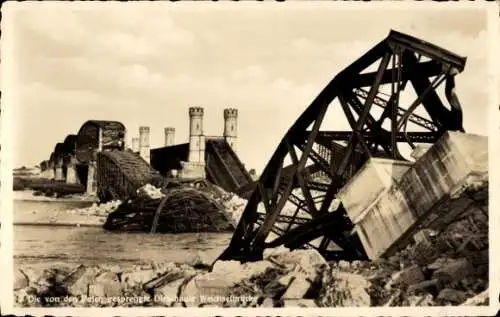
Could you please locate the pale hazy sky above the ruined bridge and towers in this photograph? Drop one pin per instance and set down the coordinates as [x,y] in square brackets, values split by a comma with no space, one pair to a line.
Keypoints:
[147,63]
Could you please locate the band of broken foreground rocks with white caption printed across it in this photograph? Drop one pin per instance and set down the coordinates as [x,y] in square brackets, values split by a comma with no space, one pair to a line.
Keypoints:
[300,278]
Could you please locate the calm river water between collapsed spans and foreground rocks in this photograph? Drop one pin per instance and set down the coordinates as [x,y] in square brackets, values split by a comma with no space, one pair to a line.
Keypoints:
[37,244]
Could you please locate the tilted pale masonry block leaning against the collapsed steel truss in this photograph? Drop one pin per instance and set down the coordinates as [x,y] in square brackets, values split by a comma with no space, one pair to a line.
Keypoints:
[388,201]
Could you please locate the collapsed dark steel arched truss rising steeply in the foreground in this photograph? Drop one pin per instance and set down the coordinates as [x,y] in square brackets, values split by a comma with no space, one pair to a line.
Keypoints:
[423,65]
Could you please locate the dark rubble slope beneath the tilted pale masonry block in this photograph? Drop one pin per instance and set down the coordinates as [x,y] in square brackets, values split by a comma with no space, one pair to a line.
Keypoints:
[438,269]
